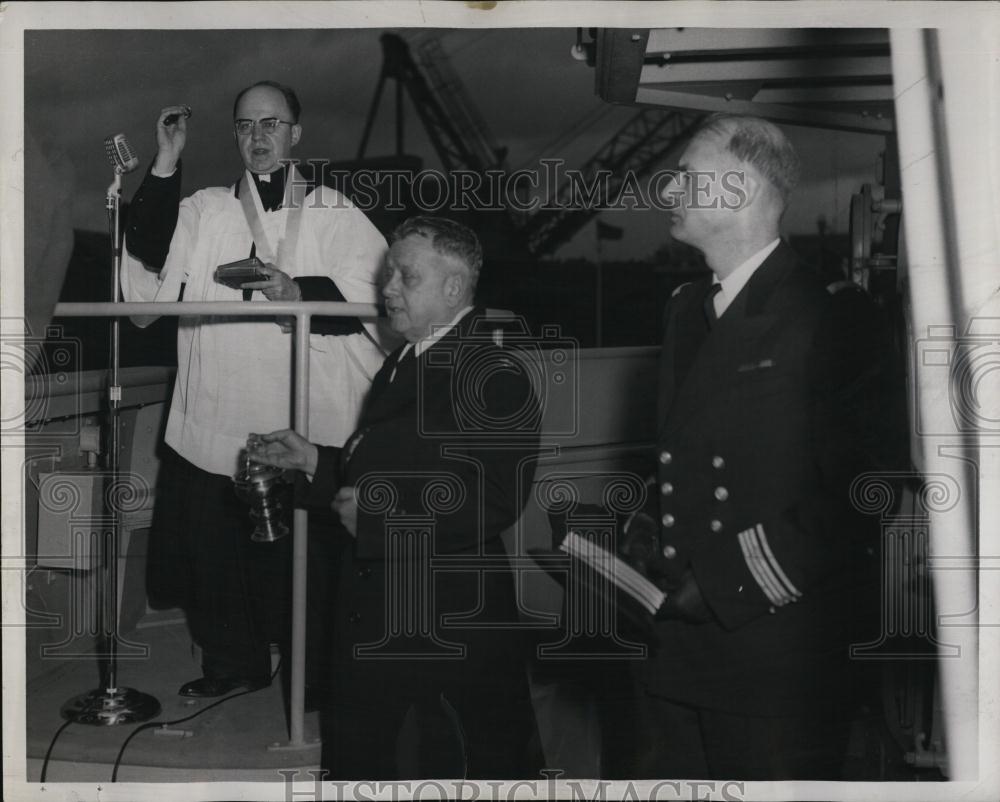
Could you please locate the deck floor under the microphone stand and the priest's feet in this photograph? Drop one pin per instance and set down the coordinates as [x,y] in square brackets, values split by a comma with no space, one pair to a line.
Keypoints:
[232,739]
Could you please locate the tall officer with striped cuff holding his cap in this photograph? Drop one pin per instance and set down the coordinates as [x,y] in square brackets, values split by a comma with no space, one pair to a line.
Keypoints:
[762,429]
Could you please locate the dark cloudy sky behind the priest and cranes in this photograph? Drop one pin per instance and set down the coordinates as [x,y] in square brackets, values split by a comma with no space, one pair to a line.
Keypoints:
[82,85]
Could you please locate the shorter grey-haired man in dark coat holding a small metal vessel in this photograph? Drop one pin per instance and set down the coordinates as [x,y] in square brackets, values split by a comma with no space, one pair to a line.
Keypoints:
[439,466]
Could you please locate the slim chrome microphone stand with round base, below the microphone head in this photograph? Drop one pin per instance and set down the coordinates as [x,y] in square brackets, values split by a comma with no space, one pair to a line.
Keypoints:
[112,704]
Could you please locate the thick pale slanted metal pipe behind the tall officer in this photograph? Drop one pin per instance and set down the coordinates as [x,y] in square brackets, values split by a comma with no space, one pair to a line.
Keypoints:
[934,268]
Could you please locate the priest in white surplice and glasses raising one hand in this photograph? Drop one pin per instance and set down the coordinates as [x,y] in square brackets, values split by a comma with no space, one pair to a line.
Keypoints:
[234,375]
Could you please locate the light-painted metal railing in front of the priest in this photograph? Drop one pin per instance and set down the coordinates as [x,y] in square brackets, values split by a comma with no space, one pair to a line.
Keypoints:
[302,312]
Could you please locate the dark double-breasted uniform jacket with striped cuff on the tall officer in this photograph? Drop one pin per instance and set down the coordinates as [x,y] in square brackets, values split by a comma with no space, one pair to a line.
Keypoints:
[757,448]
